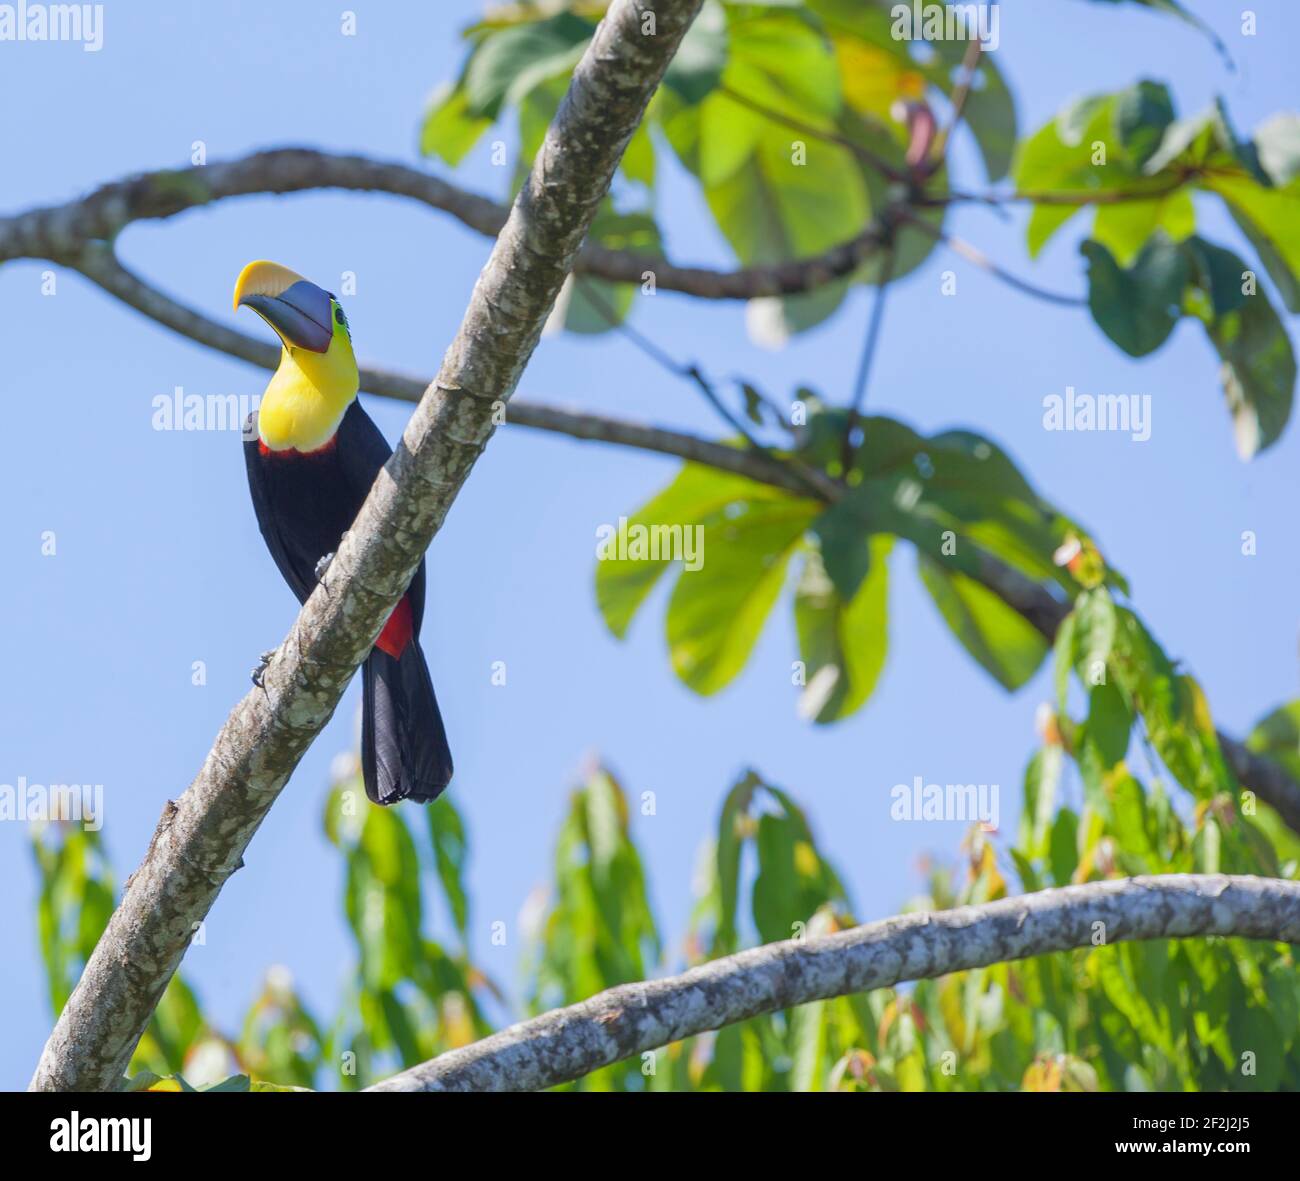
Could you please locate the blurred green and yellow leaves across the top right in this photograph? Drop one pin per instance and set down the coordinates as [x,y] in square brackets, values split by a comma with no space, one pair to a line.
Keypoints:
[787,116]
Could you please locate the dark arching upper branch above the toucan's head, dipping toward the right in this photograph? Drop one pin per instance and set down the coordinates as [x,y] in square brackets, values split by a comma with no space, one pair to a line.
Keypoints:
[60,233]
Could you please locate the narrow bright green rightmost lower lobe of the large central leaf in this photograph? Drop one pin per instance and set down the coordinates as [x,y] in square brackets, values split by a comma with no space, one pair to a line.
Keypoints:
[1002,642]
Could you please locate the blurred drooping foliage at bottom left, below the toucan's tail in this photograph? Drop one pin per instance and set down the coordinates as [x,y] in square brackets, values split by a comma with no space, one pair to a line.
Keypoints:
[409,997]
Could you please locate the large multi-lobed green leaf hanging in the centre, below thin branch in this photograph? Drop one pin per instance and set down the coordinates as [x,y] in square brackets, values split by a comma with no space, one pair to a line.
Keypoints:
[956,498]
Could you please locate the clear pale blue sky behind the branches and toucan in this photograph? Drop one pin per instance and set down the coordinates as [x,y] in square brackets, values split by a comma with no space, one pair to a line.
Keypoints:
[161,564]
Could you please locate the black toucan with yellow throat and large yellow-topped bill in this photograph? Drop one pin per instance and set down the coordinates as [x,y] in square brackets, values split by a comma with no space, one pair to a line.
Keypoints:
[313,456]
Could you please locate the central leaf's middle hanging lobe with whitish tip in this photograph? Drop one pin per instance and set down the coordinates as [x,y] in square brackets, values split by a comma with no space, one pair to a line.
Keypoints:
[843,646]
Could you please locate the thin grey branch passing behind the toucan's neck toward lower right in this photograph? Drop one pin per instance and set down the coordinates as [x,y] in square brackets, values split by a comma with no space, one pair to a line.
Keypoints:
[1030,599]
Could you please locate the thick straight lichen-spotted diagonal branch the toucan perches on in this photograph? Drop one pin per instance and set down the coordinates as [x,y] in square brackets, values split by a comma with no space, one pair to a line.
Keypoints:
[201,840]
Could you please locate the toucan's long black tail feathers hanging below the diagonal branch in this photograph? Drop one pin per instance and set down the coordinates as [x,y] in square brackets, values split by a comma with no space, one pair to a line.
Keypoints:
[405,752]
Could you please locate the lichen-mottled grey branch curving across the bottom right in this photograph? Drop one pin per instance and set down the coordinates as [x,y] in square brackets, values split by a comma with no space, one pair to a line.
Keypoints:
[635,1019]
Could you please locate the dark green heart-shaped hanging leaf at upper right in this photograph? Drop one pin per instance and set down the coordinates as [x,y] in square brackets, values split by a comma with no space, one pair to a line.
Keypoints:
[1137,308]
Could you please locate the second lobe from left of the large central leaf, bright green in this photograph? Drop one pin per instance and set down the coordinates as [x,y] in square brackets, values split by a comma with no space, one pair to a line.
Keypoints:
[717,612]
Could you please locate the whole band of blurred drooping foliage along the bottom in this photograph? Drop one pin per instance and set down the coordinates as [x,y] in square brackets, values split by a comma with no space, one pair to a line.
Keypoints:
[1204,1014]
